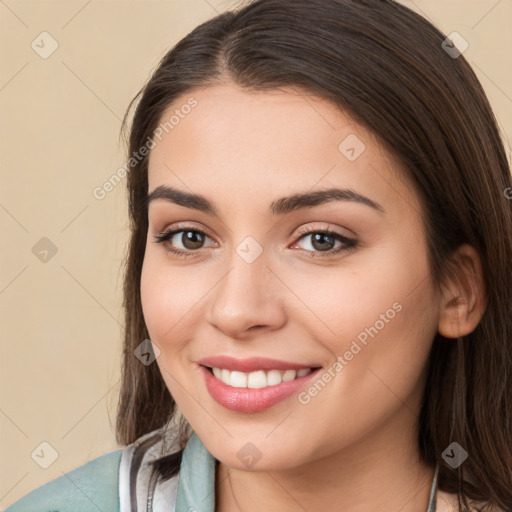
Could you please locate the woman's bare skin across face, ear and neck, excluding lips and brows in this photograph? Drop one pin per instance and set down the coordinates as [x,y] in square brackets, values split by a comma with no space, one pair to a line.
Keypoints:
[355,442]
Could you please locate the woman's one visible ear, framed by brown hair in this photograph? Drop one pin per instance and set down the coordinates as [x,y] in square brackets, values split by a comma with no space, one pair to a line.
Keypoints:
[464,298]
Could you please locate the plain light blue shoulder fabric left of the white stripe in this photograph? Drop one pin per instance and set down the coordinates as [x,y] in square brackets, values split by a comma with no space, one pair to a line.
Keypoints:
[92,486]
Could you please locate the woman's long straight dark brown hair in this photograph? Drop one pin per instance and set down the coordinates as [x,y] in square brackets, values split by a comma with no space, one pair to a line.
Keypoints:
[386,67]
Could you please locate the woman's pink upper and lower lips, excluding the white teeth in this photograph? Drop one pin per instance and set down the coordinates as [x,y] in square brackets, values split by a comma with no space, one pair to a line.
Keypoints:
[247,399]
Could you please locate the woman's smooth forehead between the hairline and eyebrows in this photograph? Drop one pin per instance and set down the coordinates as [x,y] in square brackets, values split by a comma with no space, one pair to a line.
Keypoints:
[245,142]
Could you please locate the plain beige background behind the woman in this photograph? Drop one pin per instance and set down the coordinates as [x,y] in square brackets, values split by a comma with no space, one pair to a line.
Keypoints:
[60,118]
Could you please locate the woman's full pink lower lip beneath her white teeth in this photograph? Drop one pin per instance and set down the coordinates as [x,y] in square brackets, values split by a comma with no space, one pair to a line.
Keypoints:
[248,399]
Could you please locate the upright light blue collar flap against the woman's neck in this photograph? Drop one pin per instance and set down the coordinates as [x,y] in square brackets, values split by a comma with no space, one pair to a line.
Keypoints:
[196,485]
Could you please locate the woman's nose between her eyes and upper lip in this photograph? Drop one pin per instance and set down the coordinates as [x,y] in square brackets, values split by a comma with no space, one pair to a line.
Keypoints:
[248,298]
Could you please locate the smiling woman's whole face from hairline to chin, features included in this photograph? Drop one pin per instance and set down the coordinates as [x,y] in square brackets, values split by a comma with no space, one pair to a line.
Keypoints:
[265,293]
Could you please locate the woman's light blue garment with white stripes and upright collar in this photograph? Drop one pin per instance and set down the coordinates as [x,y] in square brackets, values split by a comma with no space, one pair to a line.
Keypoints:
[120,481]
